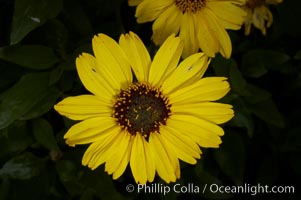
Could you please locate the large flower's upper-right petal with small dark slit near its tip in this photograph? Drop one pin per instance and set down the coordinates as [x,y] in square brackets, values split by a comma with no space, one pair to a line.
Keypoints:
[189,71]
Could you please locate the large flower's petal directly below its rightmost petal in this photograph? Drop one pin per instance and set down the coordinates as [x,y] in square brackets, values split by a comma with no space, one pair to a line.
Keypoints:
[205,133]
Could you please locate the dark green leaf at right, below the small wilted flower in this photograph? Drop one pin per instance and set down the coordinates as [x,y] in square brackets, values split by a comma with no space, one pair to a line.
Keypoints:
[256,63]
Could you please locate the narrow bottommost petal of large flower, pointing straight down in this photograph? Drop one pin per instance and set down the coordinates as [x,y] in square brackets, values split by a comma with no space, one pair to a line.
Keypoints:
[138,160]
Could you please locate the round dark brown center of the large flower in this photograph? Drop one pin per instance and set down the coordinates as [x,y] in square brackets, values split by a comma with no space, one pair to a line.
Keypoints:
[141,109]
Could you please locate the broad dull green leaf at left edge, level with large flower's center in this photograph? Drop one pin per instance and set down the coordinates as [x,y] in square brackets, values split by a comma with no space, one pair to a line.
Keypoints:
[22,97]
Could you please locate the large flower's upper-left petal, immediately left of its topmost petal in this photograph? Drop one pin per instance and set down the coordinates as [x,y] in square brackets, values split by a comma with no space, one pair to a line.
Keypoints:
[112,61]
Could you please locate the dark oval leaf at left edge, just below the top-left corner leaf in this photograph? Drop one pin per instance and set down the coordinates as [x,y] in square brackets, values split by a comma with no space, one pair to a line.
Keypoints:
[30,56]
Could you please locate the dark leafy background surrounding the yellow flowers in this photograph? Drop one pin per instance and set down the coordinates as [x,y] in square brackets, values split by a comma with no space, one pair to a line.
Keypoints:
[39,41]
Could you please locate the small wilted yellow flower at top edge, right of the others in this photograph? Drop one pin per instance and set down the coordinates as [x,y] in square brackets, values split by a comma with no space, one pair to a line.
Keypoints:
[259,15]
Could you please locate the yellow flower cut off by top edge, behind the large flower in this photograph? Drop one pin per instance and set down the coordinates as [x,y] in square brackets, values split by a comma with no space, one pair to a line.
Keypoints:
[201,24]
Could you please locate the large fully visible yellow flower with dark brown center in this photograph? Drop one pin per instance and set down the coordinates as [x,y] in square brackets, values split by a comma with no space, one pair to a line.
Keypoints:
[151,121]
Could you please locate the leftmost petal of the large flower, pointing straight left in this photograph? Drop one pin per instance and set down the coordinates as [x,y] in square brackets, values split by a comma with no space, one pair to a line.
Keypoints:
[83,107]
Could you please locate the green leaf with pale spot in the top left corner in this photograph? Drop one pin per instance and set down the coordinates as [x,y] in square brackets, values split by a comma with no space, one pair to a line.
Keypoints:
[30,14]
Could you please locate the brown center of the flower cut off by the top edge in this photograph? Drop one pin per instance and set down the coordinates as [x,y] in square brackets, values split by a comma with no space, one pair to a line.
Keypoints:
[190,5]
